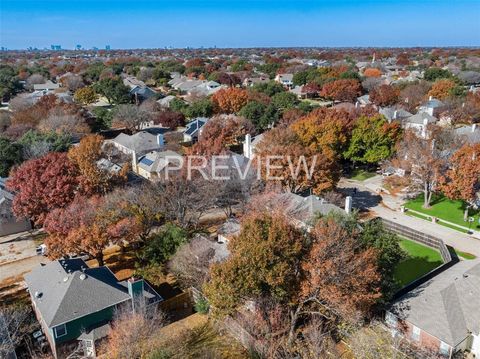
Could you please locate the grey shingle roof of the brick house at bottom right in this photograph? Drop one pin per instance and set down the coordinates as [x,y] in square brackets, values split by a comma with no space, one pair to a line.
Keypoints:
[447,306]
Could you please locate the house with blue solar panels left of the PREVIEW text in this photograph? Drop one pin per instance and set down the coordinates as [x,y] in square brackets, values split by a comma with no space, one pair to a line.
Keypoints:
[151,165]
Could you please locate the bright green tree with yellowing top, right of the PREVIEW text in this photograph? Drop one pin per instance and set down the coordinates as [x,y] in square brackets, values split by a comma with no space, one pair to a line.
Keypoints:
[373,140]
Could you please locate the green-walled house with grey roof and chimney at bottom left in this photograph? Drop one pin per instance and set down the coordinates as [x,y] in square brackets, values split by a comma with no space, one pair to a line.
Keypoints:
[75,303]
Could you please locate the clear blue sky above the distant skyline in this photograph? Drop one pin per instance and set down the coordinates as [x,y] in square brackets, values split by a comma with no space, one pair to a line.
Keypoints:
[233,23]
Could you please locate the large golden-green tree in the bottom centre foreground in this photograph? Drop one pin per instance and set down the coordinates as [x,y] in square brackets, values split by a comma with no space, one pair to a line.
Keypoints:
[264,262]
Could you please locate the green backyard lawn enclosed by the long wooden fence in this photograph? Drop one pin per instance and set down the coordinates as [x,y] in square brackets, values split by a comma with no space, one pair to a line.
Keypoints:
[421,260]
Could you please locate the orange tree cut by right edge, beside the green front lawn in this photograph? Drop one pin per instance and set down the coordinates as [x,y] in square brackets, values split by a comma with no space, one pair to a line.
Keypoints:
[462,180]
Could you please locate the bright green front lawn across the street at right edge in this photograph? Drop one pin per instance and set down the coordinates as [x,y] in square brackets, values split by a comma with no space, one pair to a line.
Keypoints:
[446,209]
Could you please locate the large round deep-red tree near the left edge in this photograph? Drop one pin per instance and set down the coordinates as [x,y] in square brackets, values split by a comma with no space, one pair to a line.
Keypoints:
[42,185]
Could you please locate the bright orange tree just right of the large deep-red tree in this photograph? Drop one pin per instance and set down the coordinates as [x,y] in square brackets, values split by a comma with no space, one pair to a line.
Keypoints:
[93,179]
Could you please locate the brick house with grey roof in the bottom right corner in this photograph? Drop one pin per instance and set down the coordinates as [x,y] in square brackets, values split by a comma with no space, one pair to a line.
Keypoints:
[443,313]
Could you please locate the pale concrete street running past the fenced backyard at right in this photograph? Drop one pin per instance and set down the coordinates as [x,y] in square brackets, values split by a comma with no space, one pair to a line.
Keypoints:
[388,207]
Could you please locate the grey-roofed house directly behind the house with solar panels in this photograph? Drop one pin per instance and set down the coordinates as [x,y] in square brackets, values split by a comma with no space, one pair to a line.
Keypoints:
[138,143]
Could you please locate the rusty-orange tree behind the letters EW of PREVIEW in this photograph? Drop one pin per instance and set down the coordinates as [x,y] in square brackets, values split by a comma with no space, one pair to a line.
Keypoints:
[299,167]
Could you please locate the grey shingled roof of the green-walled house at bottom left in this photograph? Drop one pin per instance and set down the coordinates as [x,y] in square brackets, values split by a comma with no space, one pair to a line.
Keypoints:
[65,292]
